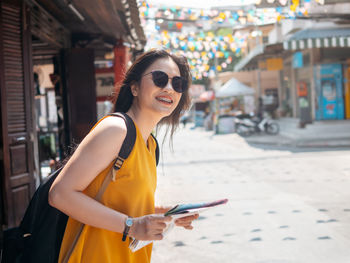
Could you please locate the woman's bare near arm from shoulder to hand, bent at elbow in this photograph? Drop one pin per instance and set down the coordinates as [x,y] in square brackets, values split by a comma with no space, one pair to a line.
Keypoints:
[98,149]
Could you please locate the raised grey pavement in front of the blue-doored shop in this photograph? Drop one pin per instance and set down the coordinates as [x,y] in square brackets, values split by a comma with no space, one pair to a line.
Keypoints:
[331,133]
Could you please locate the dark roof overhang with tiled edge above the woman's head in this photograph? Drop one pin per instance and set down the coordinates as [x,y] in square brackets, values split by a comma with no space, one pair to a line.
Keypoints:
[110,21]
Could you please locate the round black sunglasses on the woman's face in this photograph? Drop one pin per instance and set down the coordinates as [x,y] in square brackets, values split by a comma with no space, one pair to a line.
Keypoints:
[160,79]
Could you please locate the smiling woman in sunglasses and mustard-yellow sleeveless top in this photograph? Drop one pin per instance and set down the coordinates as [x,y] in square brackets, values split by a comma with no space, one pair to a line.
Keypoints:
[154,91]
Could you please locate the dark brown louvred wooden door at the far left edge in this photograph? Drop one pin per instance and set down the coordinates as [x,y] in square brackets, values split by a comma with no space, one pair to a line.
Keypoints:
[16,110]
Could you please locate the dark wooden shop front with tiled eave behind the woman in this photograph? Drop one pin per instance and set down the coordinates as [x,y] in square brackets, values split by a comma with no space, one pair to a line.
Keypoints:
[48,85]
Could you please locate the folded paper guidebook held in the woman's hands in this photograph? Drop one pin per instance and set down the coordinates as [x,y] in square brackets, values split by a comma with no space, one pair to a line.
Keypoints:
[176,212]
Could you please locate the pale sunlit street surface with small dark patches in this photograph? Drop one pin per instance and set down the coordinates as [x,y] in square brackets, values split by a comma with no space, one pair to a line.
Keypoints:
[285,204]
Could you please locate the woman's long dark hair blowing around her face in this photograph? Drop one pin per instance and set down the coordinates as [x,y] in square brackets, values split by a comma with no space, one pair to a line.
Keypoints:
[133,75]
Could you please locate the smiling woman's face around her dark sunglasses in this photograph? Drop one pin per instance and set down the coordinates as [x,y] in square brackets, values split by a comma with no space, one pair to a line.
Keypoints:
[156,100]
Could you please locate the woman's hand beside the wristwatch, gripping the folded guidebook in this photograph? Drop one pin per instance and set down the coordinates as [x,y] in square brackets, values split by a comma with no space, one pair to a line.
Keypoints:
[149,227]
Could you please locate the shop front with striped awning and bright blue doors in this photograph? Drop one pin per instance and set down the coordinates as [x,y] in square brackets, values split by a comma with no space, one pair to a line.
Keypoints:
[320,57]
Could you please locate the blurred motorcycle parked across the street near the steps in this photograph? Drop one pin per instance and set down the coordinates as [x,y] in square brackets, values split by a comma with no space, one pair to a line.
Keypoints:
[247,125]
